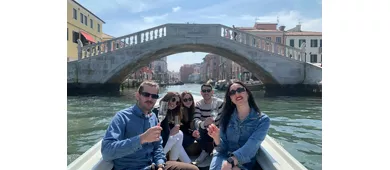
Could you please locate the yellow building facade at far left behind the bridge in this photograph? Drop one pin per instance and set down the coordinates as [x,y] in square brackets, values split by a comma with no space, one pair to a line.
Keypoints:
[82,24]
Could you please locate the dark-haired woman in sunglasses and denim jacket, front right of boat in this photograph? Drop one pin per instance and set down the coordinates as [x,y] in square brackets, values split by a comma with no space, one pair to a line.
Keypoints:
[242,130]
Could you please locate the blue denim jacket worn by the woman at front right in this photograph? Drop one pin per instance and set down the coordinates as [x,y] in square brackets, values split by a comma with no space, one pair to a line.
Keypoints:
[243,139]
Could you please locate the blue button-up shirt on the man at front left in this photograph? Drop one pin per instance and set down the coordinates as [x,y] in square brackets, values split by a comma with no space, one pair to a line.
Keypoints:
[121,143]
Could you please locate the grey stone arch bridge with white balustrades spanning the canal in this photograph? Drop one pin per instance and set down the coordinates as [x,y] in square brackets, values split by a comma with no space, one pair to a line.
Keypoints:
[104,66]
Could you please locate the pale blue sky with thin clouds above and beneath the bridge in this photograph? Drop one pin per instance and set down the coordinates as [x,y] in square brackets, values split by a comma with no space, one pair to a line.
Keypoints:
[124,17]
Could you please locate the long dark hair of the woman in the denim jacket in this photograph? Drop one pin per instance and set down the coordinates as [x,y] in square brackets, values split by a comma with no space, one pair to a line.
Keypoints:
[229,106]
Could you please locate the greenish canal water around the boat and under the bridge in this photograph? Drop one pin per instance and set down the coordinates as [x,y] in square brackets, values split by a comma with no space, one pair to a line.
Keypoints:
[296,122]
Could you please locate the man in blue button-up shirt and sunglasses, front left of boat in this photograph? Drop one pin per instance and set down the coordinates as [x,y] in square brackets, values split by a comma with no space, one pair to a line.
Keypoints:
[133,139]
